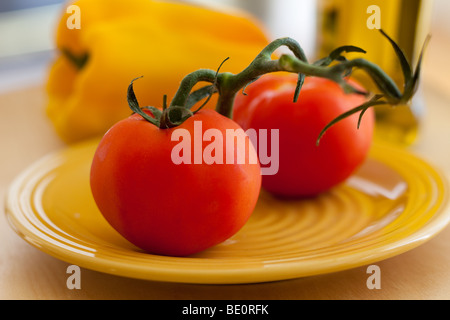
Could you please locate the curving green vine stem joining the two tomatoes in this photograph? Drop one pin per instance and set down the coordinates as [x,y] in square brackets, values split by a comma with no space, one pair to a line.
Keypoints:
[227,85]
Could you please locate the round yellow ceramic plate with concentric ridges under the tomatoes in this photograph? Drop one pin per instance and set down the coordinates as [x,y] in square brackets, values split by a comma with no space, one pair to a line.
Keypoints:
[393,204]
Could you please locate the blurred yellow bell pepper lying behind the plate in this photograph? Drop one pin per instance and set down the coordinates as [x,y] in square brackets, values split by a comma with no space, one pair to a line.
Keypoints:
[119,40]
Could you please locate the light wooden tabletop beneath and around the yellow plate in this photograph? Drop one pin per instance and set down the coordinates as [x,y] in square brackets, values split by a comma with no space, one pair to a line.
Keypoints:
[27,273]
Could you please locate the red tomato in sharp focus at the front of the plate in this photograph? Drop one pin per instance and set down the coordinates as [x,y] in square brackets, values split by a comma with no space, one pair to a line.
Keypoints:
[167,208]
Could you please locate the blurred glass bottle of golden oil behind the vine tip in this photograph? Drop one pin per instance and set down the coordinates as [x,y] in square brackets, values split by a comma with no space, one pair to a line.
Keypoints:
[355,22]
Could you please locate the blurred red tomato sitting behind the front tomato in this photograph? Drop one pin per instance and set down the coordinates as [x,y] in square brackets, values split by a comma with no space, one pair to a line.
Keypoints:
[306,169]
